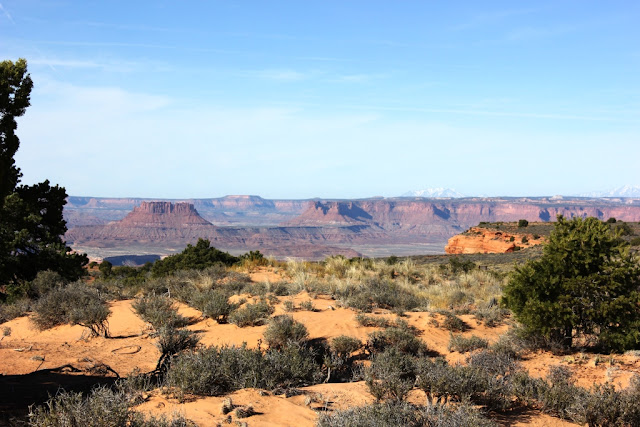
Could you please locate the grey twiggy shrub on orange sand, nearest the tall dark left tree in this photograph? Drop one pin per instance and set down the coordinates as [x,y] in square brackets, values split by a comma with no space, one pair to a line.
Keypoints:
[75,304]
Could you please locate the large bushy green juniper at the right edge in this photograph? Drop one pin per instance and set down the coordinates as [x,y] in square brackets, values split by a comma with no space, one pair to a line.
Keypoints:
[586,283]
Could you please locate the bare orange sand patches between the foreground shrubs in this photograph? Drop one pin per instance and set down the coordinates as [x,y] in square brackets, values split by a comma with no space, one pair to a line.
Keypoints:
[38,353]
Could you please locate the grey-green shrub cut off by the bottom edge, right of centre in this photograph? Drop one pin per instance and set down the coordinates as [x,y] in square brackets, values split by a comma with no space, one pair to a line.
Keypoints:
[405,414]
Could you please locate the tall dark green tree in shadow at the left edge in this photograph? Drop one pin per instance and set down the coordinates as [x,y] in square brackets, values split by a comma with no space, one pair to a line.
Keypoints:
[31,222]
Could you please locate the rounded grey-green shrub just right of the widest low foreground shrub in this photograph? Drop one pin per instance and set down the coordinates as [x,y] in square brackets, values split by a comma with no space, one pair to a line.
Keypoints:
[391,375]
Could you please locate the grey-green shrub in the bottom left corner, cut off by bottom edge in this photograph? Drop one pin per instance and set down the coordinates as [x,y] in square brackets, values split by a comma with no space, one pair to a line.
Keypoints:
[103,407]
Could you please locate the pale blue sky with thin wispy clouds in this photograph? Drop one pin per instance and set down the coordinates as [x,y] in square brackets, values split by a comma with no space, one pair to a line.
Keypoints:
[342,99]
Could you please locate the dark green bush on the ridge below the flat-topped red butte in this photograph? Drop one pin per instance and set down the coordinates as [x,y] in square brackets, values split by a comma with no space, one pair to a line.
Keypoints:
[197,257]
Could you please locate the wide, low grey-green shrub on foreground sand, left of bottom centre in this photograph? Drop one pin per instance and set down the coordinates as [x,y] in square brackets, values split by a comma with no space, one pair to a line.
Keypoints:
[215,371]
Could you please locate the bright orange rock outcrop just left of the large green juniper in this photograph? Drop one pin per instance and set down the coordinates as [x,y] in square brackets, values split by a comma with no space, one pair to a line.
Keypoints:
[478,240]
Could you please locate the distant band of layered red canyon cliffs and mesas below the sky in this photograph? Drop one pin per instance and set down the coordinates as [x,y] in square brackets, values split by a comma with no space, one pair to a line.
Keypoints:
[338,225]
